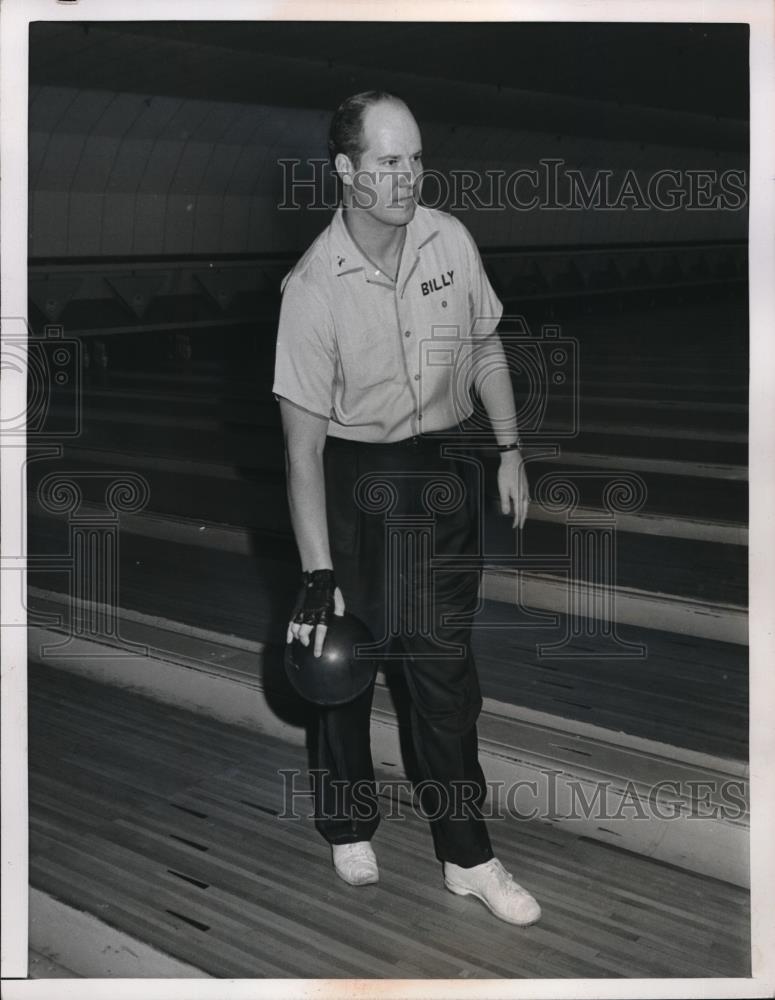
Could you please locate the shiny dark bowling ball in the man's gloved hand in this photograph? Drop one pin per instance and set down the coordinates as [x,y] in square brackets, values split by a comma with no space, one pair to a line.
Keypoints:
[337,675]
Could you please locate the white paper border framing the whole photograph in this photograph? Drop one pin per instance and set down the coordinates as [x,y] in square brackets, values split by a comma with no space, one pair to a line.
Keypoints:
[15,16]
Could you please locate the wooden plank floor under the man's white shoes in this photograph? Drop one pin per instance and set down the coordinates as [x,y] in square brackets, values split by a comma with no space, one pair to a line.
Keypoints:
[167,825]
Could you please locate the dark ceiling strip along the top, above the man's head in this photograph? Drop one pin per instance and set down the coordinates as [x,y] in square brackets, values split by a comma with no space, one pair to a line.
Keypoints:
[696,68]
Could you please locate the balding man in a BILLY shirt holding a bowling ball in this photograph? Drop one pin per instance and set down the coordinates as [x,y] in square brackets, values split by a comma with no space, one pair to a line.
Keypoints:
[359,406]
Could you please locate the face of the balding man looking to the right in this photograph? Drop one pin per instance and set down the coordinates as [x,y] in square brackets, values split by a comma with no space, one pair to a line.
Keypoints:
[385,182]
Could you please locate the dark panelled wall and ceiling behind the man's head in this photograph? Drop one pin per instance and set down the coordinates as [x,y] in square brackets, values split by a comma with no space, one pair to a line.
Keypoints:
[164,138]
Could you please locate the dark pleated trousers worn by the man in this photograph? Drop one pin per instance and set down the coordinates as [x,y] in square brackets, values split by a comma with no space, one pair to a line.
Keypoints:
[391,508]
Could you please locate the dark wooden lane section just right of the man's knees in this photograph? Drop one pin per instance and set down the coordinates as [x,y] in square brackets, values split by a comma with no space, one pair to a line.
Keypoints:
[686,692]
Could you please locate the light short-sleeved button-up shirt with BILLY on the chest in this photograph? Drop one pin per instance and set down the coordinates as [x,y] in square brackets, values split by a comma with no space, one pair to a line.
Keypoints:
[384,361]
